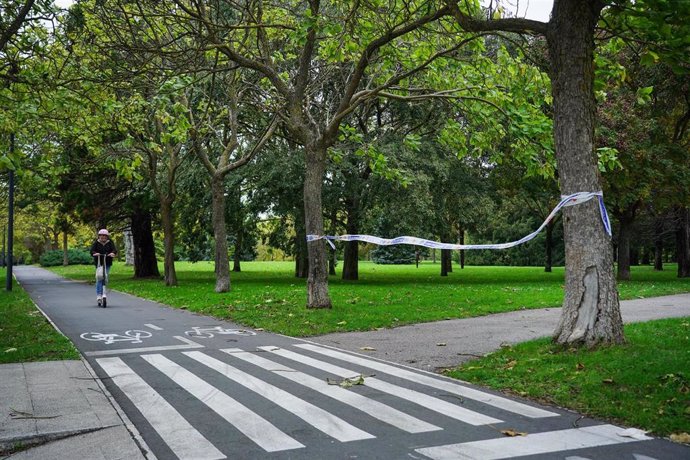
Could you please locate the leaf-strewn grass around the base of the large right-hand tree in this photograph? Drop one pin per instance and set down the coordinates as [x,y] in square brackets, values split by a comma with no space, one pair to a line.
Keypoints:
[645,383]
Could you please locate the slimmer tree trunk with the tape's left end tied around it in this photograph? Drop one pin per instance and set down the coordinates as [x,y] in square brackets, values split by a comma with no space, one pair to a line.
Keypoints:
[317,281]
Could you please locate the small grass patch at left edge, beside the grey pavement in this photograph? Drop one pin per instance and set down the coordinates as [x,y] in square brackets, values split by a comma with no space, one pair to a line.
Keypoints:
[25,334]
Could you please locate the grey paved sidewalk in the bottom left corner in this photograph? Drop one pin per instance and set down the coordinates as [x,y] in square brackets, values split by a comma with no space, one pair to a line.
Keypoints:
[58,410]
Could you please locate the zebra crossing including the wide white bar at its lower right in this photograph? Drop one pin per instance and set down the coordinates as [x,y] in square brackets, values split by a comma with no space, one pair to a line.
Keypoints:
[295,402]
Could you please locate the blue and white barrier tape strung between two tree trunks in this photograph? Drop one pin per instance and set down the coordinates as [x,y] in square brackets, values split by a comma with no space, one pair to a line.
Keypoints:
[569,200]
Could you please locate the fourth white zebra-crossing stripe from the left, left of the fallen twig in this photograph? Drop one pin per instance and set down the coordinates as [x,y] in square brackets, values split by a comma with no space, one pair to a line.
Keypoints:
[374,408]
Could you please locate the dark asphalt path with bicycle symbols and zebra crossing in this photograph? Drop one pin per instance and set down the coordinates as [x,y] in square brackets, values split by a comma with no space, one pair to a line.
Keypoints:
[200,388]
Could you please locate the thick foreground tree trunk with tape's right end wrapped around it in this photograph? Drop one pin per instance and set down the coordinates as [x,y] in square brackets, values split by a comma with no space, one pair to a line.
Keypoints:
[591,308]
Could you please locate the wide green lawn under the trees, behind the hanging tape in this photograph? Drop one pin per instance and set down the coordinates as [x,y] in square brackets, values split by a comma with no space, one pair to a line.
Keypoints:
[267,295]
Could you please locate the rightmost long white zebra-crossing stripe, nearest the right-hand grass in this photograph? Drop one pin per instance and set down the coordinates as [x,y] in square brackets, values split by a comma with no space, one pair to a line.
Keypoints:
[438,383]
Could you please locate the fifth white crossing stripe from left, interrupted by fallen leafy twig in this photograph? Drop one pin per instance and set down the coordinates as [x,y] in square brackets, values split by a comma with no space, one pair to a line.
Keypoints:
[429,402]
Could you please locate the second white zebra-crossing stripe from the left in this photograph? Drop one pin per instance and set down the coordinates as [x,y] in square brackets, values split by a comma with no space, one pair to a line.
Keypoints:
[255,427]
